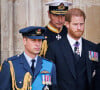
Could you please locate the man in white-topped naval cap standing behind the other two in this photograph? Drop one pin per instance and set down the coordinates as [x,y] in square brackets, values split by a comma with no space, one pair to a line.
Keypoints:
[55,28]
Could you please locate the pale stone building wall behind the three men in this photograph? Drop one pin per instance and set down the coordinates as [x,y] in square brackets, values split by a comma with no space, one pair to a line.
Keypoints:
[17,14]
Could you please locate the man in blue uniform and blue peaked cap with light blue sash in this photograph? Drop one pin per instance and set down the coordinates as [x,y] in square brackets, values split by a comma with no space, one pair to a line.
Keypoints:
[28,71]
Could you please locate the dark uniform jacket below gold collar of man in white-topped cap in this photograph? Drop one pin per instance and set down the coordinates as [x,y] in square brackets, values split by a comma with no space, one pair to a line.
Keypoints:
[52,36]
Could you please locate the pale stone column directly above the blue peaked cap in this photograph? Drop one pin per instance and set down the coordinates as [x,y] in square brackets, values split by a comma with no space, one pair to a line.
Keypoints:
[35,12]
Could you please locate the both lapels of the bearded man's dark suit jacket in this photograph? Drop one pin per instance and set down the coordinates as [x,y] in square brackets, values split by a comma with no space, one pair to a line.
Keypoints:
[69,57]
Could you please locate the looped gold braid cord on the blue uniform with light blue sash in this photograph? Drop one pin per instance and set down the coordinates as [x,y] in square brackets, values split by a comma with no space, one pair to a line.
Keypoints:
[26,82]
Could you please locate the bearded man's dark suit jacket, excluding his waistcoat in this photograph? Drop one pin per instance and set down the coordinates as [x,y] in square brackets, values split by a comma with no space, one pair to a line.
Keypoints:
[62,55]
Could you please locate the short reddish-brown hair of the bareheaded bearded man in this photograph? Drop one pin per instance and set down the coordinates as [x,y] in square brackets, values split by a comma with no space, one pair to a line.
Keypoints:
[74,12]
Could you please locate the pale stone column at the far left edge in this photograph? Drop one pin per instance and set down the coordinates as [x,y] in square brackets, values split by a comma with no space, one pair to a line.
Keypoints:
[6,28]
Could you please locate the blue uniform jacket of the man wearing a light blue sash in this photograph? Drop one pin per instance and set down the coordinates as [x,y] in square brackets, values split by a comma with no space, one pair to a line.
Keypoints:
[21,67]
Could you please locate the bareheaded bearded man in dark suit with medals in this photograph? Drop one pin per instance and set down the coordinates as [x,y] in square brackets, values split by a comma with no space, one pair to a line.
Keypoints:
[73,55]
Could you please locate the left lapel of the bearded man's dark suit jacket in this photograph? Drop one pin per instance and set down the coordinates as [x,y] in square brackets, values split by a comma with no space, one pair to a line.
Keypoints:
[68,54]
